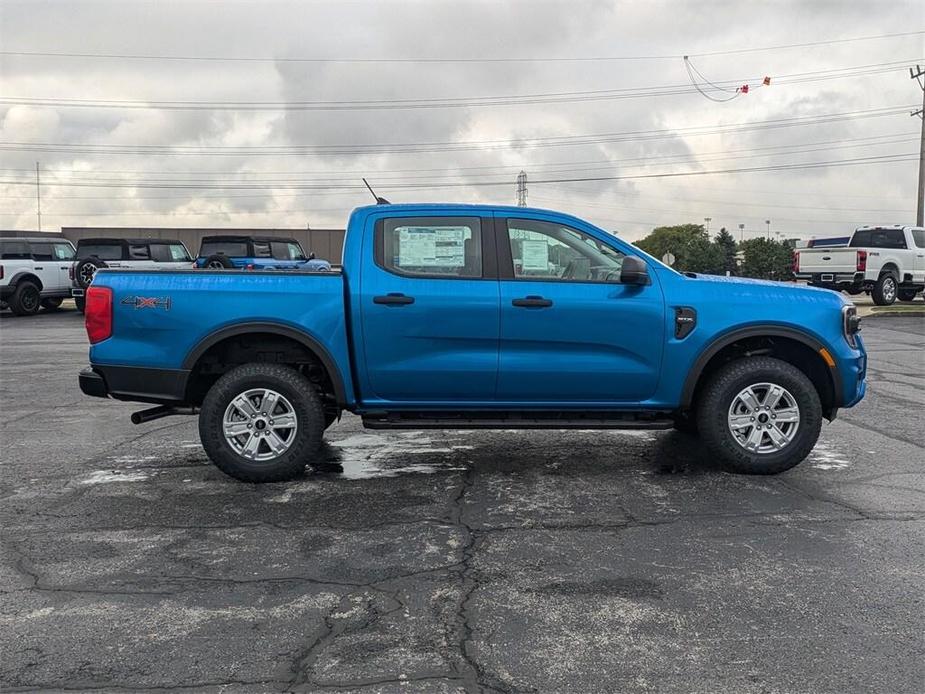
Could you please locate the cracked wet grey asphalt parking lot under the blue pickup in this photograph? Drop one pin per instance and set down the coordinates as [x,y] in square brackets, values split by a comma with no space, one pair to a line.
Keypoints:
[437,562]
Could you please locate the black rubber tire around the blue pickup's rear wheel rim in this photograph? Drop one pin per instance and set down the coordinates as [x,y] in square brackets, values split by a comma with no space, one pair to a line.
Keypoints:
[306,407]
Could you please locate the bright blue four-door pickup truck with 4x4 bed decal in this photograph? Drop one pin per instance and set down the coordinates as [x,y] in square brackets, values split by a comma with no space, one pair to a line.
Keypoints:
[475,317]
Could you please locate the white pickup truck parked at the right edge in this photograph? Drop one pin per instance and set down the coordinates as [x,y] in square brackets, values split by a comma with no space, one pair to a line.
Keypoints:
[887,262]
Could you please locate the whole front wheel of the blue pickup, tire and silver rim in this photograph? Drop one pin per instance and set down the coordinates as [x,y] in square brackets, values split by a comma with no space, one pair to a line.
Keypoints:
[760,415]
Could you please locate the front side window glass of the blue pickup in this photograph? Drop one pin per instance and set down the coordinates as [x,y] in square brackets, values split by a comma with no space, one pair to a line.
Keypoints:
[548,251]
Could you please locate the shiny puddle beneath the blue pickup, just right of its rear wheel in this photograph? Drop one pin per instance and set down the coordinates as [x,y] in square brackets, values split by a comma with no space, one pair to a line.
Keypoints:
[367,456]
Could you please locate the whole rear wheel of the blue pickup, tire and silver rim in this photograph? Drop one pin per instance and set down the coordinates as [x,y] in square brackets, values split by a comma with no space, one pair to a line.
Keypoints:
[261,423]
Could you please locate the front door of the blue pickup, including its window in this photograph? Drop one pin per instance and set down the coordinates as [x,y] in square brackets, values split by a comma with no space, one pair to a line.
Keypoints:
[570,331]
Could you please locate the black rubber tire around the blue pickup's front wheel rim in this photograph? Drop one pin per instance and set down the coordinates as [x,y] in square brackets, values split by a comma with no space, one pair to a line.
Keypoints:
[719,395]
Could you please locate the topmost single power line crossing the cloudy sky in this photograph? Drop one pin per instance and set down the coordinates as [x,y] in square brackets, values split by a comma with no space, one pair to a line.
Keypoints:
[529,59]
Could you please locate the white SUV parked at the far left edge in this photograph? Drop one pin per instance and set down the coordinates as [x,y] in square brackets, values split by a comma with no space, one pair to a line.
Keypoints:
[34,273]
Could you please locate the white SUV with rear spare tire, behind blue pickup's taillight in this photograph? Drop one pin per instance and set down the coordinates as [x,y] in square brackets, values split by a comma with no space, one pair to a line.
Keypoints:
[134,254]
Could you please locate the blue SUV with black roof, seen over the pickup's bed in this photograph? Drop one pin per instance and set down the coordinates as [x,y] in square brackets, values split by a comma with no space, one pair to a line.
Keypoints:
[256,253]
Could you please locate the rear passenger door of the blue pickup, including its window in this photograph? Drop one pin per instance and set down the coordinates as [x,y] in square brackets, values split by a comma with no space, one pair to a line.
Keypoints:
[429,310]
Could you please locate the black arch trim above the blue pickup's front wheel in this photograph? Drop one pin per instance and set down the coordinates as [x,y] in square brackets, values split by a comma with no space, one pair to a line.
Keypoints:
[827,380]
